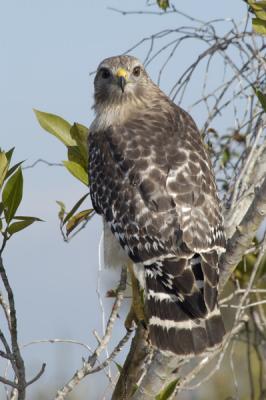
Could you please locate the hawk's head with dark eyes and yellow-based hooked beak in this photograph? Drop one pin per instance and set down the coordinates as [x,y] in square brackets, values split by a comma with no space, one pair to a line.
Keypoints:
[119,79]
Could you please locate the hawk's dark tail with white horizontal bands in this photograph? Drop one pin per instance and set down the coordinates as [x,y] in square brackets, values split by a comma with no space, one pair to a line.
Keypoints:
[181,304]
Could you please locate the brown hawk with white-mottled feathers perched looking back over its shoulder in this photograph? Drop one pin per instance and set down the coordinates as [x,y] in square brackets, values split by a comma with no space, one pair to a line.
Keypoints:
[152,182]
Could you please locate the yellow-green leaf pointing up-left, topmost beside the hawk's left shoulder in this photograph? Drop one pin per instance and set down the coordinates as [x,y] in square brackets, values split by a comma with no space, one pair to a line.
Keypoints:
[55,125]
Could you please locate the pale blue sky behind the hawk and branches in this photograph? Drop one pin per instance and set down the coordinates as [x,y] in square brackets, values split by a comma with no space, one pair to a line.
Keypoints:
[48,48]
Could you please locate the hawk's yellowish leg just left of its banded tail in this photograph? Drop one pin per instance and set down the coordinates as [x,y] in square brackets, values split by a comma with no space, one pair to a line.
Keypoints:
[136,313]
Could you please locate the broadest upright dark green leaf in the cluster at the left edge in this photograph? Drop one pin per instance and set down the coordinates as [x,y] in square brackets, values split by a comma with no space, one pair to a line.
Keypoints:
[12,194]
